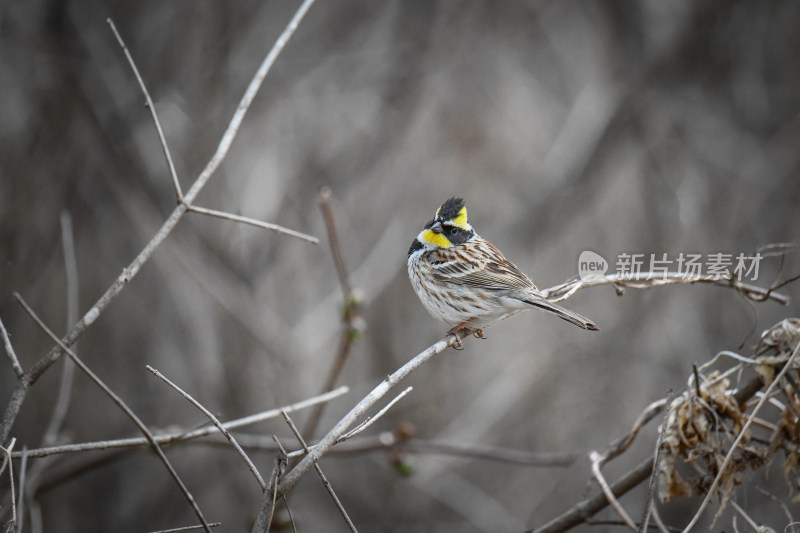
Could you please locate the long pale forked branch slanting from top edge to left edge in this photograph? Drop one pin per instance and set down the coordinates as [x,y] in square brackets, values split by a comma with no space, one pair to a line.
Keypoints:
[129,272]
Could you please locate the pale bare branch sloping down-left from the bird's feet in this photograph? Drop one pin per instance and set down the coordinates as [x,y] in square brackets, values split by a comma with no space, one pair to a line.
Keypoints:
[294,475]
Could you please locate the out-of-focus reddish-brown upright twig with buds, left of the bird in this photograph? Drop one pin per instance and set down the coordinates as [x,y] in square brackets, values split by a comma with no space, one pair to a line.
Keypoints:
[351,310]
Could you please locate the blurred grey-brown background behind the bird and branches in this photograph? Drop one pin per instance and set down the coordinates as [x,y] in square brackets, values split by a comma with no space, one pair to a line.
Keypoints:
[639,127]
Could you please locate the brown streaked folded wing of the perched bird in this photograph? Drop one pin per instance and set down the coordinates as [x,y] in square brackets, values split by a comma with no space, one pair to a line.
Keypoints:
[477,263]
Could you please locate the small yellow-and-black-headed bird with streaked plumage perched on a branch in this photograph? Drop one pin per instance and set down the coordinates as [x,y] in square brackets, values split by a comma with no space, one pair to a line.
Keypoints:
[464,280]
